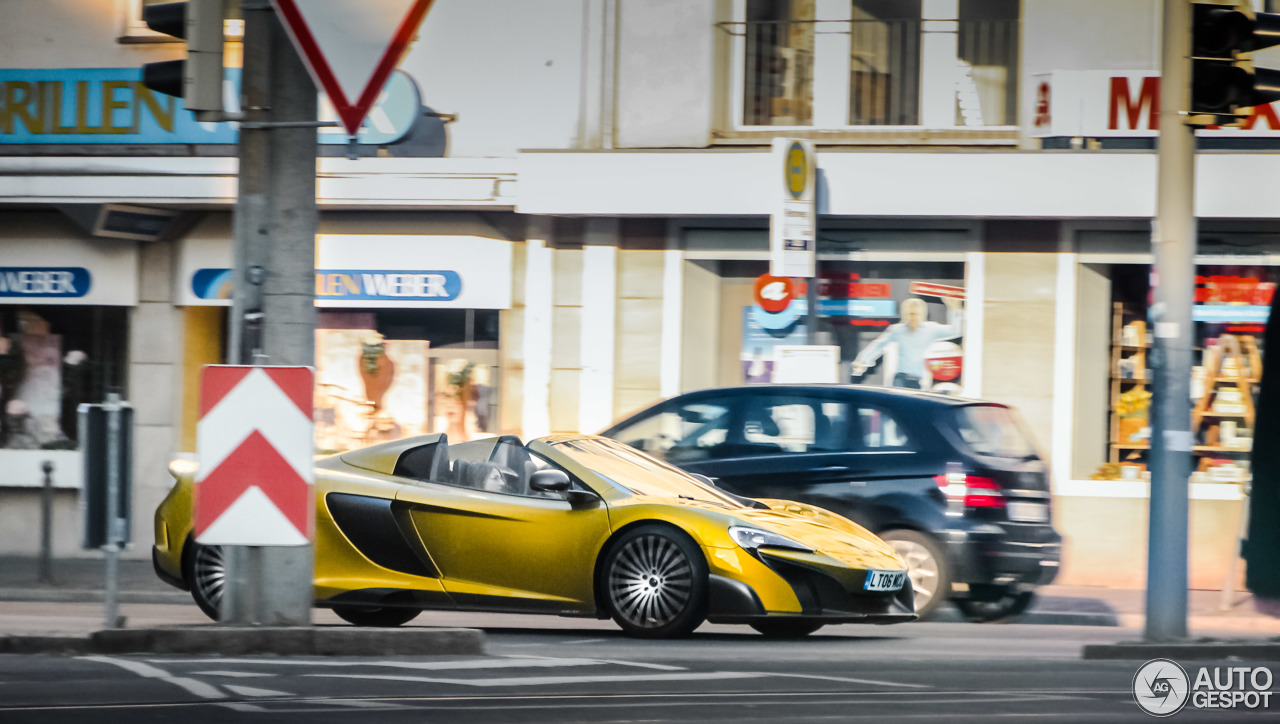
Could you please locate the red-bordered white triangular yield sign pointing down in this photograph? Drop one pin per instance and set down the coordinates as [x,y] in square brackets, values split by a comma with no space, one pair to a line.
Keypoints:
[351,47]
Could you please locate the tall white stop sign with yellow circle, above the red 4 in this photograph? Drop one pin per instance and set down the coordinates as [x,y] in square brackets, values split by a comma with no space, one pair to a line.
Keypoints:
[793,224]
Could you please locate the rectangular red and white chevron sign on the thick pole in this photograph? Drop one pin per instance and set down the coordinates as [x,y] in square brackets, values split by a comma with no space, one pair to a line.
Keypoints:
[255,442]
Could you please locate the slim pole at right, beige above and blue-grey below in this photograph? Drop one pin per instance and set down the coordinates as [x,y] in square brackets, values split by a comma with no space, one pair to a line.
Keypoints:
[1174,249]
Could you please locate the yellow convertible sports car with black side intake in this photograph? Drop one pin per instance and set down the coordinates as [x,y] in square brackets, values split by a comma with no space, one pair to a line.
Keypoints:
[568,525]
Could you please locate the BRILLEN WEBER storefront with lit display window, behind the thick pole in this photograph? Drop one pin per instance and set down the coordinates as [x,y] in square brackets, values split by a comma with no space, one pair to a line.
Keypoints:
[408,337]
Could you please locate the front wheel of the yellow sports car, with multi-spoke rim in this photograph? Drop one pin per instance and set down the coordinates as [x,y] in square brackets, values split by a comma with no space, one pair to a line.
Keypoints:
[656,583]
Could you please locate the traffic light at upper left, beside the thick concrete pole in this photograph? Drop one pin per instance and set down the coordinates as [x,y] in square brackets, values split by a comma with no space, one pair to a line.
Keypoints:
[198,80]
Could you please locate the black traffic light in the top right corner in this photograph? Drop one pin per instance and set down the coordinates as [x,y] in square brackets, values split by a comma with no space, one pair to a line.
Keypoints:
[1223,80]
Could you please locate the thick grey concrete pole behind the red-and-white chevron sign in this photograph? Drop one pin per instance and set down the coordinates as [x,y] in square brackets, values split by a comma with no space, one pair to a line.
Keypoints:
[273,310]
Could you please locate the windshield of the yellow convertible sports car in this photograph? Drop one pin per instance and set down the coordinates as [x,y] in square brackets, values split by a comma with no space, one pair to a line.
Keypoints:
[632,470]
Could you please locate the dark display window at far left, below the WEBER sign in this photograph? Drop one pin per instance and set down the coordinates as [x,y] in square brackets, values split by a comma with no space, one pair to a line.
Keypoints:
[54,359]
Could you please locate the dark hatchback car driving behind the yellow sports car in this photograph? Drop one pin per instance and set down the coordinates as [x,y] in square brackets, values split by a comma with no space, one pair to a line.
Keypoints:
[953,484]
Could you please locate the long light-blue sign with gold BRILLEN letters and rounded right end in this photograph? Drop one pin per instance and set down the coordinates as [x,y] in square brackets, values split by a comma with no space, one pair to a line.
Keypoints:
[111,106]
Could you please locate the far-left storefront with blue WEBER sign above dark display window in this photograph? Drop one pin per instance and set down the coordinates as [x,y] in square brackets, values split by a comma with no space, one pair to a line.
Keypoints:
[63,342]
